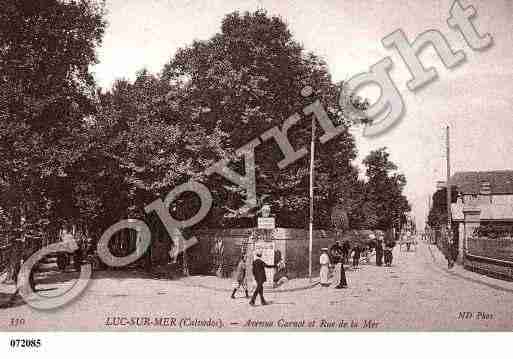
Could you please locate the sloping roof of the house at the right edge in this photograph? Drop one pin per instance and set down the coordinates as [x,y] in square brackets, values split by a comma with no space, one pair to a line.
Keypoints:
[501,182]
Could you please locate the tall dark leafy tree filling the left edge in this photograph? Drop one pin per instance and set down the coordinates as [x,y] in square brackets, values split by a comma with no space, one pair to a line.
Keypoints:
[46,48]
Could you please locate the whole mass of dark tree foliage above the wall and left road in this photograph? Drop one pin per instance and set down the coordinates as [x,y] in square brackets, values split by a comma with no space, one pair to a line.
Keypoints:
[73,154]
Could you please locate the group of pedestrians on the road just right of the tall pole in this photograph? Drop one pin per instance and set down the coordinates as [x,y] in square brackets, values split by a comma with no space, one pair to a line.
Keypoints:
[339,254]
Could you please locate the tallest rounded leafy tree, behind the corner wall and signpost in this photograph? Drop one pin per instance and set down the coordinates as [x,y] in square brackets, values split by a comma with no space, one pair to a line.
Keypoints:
[247,79]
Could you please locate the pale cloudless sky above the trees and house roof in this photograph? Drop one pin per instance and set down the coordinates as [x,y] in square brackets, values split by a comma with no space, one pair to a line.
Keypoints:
[473,99]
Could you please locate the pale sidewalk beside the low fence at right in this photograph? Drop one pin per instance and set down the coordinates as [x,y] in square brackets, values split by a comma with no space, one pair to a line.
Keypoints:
[459,271]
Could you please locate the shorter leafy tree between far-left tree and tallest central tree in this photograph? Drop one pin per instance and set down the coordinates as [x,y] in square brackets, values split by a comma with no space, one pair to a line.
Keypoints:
[146,141]
